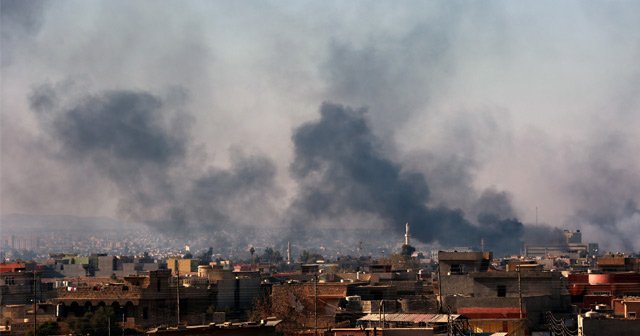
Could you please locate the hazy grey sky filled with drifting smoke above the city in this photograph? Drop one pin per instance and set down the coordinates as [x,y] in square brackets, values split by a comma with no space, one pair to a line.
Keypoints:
[459,117]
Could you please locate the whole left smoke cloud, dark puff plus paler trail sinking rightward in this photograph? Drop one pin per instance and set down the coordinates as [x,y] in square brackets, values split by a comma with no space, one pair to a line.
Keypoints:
[141,147]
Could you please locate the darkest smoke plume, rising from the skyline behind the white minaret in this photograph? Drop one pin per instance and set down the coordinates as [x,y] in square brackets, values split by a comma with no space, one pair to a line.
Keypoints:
[341,168]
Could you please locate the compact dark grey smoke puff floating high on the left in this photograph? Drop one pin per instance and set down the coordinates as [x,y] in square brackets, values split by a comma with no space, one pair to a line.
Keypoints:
[121,126]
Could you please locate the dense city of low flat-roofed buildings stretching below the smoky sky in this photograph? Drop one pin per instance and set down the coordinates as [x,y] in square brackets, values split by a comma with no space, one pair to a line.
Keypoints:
[152,286]
